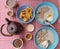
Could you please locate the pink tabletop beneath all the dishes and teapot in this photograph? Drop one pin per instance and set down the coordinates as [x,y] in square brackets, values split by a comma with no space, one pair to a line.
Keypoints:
[6,42]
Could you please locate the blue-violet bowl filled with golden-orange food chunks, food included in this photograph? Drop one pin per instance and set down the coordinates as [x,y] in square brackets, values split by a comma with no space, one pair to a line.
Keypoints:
[25,14]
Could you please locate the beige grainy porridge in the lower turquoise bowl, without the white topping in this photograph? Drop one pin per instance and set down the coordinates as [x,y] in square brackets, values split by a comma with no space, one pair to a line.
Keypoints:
[44,35]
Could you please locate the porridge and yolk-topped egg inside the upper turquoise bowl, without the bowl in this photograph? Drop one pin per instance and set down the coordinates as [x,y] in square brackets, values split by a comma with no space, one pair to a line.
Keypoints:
[45,13]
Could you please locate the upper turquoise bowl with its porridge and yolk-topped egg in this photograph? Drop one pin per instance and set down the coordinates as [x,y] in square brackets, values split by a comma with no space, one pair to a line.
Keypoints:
[46,11]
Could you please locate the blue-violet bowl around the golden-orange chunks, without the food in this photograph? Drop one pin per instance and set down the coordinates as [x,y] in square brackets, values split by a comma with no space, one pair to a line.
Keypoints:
[18,13]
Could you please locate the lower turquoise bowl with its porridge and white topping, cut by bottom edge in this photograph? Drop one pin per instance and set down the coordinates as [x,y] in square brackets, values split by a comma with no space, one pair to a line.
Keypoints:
[46,38]
